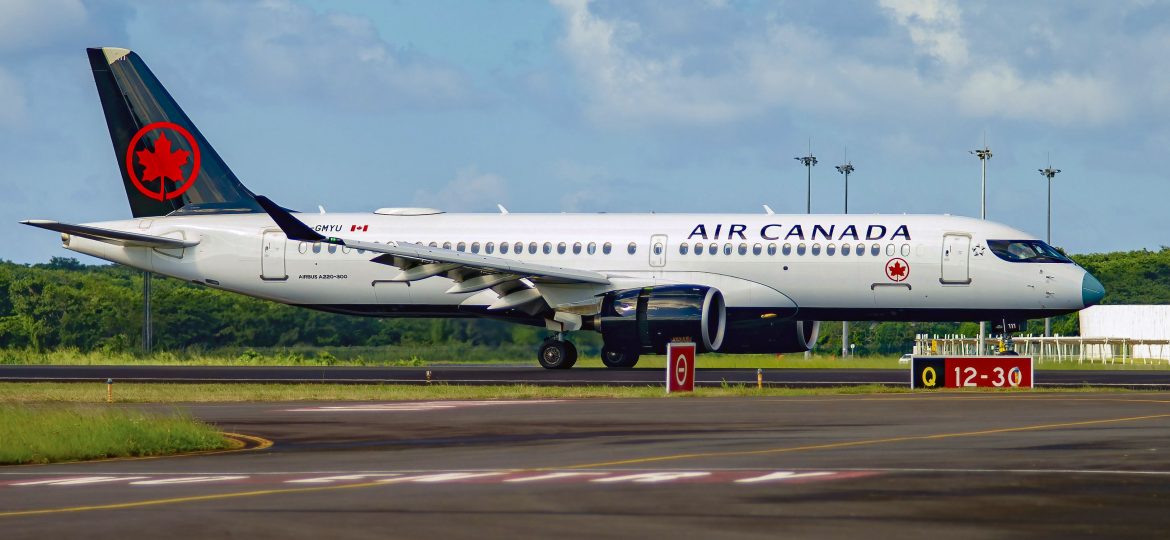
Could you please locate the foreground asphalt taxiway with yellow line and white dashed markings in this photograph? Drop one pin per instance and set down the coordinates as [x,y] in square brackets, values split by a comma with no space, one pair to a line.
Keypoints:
[907,466]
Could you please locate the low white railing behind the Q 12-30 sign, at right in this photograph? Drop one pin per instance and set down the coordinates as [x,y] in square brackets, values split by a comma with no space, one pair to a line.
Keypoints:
[1055,350]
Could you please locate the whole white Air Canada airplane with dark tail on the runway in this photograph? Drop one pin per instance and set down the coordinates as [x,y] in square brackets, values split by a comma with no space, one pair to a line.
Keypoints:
[732,283]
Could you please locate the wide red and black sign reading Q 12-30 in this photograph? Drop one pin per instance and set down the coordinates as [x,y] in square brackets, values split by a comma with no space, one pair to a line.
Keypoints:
[972,372]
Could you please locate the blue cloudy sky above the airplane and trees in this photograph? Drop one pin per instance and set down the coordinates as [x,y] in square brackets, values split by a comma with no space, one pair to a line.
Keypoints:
[577,106]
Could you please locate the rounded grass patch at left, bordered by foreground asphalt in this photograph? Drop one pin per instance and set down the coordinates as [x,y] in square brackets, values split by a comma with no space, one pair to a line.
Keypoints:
[57,433]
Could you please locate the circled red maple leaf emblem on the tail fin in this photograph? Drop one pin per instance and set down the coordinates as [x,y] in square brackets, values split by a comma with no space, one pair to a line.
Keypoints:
[161,163]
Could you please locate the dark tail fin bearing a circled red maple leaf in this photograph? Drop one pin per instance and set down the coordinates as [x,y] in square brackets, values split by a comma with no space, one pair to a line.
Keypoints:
[167,164]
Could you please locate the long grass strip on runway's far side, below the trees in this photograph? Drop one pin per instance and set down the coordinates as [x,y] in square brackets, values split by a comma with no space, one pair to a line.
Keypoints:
[443,356]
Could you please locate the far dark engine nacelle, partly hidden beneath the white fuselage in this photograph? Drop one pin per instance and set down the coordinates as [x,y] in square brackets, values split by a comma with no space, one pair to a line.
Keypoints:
[749,334]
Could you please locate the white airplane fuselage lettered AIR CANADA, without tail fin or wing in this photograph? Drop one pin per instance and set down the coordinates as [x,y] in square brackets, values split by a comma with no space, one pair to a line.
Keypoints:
[802,267]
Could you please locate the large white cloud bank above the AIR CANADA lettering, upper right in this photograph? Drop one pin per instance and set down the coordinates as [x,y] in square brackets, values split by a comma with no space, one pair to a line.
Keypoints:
[783,67]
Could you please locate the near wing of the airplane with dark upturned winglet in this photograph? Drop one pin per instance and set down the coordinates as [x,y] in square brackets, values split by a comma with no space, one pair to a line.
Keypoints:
[514,282]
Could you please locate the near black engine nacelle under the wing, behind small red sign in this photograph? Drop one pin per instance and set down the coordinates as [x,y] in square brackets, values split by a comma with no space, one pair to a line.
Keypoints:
[645,321]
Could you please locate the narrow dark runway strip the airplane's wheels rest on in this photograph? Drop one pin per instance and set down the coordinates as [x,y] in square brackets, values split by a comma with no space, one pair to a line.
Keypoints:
[1147,379]
